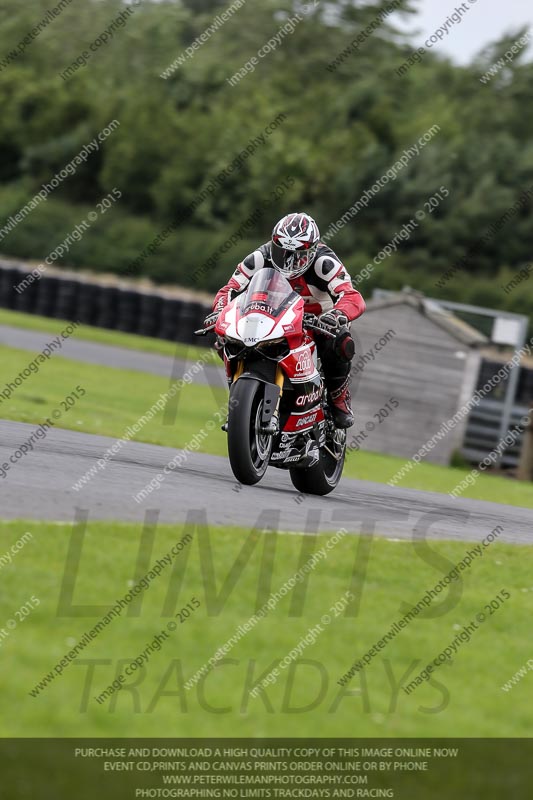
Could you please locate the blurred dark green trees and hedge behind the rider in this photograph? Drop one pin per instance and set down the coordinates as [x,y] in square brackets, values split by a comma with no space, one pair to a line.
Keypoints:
[344,128]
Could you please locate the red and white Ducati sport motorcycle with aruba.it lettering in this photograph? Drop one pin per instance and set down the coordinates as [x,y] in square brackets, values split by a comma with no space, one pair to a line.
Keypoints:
[278,413]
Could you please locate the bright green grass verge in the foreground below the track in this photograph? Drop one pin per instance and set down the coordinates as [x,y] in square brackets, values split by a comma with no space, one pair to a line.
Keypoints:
[462,698]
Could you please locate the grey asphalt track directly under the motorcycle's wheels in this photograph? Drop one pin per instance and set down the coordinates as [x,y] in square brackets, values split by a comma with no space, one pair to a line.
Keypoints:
[39,486]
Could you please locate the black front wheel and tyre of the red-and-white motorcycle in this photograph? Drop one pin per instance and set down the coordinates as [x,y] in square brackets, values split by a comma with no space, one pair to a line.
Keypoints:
[249,450]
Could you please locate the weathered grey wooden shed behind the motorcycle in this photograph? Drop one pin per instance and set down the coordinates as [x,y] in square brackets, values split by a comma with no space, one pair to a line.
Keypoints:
[415,366]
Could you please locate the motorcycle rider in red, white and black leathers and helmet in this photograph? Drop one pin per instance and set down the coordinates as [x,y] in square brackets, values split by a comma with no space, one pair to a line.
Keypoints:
[316,273]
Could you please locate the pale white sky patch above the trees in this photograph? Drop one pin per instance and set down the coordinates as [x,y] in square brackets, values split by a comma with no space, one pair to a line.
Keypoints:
[485,21]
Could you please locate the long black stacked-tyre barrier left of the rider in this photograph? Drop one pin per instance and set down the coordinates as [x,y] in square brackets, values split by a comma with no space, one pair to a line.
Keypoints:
[125,308]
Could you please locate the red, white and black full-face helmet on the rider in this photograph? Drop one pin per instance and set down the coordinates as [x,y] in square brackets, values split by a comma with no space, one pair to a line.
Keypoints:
[294,244]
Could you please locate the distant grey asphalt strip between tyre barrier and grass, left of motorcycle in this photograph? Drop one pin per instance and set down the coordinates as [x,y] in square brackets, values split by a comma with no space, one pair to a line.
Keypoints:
[109,355]
